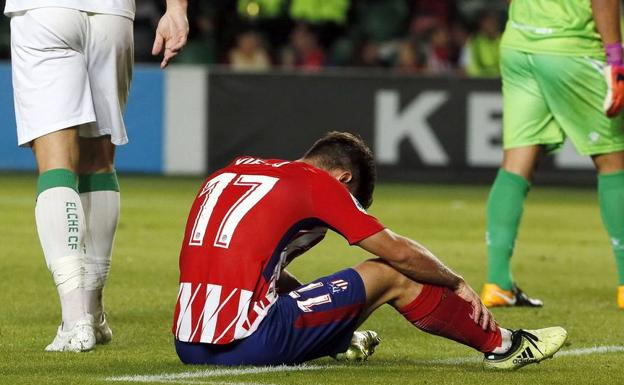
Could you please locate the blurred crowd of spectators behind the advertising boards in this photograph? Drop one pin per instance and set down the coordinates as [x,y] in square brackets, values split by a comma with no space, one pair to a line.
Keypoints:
[442,37]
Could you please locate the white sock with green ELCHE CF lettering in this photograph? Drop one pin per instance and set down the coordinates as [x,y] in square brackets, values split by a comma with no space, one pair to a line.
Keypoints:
[60,224]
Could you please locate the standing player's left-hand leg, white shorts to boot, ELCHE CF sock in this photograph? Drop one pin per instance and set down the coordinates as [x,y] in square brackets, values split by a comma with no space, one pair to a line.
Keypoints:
[52,103]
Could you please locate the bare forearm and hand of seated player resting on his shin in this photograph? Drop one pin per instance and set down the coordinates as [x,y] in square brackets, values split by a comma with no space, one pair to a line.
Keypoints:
[419,264]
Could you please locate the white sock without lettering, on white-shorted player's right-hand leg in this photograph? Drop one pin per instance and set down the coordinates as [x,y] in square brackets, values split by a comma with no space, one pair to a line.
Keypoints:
[102,215]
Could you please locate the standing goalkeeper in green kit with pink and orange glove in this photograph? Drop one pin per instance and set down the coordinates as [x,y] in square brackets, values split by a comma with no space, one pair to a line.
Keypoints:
[563,76]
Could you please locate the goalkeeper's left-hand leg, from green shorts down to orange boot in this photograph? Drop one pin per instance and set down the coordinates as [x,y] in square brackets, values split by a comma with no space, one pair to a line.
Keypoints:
[528,127]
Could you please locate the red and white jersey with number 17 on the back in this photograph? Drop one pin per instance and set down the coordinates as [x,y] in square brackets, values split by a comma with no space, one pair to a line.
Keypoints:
[245,222]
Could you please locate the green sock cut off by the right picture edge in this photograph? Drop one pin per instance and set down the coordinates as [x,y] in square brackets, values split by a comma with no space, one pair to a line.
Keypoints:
[611,196]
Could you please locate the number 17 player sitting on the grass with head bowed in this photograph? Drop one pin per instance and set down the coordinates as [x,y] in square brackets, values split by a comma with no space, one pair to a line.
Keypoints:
[237,305]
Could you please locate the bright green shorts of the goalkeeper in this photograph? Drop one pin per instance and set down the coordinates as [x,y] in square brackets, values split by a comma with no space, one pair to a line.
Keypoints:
[549,97]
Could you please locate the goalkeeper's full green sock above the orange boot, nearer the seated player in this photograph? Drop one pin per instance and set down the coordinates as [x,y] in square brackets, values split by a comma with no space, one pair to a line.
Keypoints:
[504,211]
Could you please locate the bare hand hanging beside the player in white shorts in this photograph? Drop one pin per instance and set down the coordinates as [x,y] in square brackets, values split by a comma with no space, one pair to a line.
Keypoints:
[171,33]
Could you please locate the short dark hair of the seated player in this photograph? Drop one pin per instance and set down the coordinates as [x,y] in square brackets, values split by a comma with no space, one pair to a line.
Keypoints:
[343,150]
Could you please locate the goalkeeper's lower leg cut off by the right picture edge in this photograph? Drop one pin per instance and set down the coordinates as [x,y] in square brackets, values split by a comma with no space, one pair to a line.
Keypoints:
[611,198]
